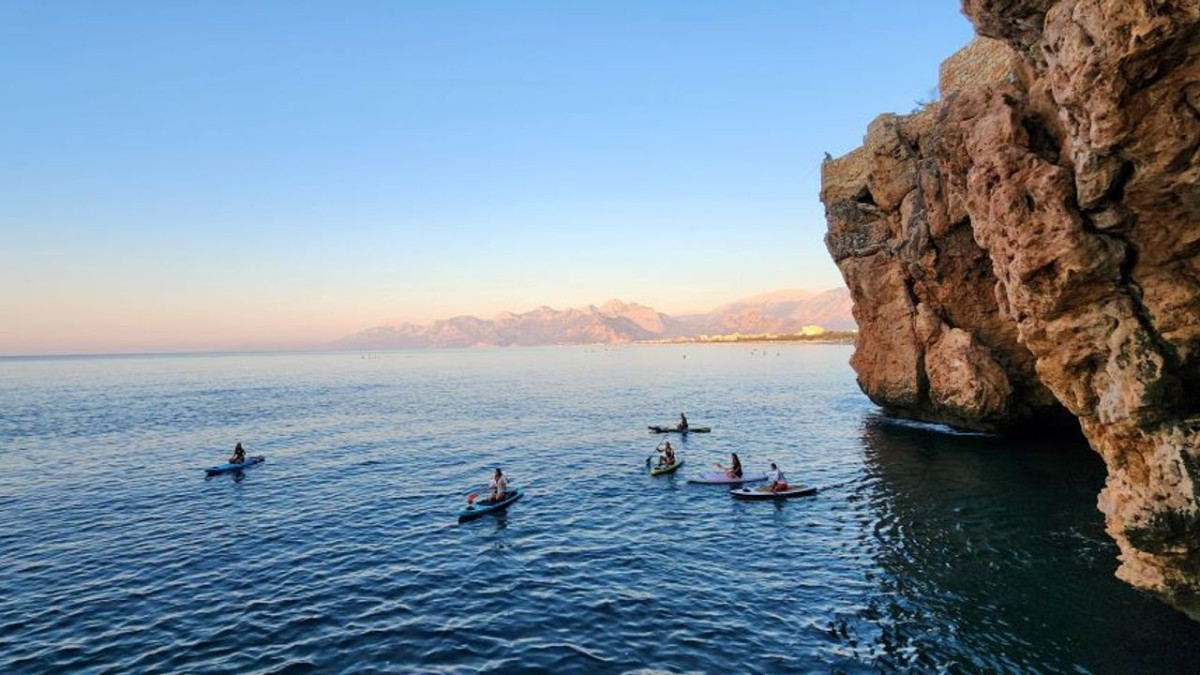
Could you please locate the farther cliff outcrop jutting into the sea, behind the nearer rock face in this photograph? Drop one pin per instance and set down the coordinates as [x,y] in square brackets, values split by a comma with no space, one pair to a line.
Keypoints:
[925,291]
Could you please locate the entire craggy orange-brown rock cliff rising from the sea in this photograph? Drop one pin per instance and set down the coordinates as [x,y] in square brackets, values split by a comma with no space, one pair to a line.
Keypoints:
[1029,249]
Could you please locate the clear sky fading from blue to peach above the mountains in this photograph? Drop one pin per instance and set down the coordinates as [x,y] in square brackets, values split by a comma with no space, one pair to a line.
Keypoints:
[207,176]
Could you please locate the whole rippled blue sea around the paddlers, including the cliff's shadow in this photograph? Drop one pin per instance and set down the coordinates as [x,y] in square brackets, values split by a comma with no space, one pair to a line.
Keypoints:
[343,553]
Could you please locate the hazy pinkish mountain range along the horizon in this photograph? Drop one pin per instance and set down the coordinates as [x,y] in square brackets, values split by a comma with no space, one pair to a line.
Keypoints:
[615,322]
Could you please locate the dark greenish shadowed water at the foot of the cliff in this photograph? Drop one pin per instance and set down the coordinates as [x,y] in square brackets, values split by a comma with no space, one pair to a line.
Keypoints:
[992,557]
